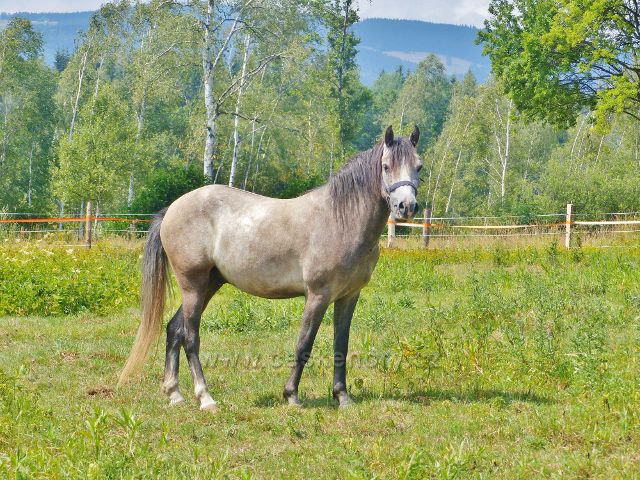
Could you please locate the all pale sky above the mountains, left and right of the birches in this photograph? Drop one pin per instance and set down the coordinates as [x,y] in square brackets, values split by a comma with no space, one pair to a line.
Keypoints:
[467,12]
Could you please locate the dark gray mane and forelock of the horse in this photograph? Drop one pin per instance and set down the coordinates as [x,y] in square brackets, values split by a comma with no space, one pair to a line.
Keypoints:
[359,180]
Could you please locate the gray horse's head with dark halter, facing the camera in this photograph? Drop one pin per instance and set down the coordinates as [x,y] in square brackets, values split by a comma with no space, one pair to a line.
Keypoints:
[401,165]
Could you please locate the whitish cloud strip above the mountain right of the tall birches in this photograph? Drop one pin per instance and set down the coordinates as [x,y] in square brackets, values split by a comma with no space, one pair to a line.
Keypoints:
[467,12]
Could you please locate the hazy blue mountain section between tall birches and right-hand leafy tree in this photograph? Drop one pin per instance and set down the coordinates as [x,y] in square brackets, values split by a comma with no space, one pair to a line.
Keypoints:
[385,44]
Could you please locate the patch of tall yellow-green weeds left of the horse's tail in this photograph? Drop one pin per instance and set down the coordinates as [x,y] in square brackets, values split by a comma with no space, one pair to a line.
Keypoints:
[37,278]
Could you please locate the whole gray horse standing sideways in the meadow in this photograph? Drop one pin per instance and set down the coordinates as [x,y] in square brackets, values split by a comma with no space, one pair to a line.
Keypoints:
[323,245]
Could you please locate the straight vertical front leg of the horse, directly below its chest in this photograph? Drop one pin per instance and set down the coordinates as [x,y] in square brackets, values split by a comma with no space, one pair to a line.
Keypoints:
[342,314]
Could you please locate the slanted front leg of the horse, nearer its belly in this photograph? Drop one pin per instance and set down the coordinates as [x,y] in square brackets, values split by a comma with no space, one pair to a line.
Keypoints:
[314,309]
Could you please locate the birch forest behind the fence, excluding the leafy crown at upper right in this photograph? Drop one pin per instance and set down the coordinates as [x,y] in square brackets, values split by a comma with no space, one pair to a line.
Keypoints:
[162,97]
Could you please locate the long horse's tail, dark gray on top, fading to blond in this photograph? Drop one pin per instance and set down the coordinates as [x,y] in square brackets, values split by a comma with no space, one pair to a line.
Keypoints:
[155,282]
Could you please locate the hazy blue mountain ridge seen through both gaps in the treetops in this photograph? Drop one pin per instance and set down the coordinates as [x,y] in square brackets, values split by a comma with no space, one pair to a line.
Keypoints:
[385,44]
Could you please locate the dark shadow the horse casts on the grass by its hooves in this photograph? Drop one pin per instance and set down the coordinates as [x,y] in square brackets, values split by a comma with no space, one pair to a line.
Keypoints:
[422,397]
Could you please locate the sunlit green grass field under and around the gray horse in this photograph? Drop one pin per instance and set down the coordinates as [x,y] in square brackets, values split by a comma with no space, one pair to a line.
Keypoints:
[465,363]
